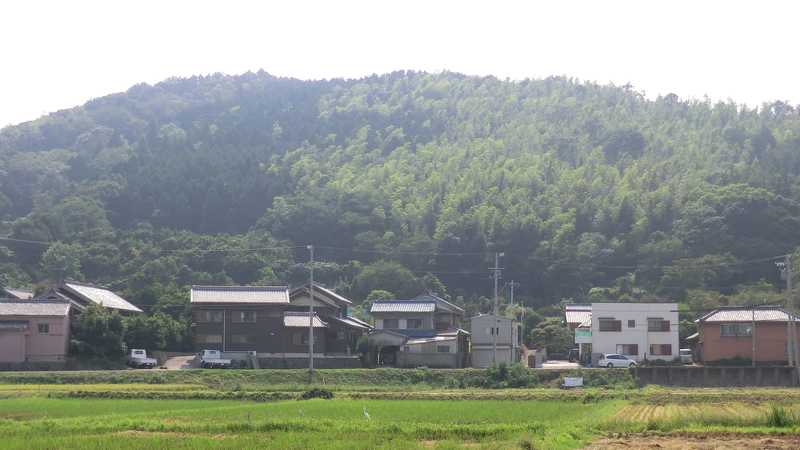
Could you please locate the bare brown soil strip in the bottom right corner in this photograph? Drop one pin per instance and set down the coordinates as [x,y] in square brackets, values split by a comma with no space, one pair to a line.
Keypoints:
[698,442]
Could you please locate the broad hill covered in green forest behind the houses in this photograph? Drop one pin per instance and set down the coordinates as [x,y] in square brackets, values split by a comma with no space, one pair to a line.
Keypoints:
[580,185]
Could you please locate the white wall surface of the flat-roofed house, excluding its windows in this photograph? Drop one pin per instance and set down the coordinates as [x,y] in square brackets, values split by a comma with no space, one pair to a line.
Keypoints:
[607,341]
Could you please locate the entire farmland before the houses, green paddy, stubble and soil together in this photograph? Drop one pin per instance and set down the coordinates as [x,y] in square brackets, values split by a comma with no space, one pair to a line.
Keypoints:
[199,411]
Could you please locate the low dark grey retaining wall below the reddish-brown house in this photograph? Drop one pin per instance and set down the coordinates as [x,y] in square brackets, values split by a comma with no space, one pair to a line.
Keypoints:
[716,376]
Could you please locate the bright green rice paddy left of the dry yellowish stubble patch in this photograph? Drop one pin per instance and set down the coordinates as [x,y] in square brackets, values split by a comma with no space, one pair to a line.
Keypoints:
[60,423]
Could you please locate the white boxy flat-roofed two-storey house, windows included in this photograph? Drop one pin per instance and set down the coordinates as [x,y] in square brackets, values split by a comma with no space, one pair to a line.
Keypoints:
[637,330]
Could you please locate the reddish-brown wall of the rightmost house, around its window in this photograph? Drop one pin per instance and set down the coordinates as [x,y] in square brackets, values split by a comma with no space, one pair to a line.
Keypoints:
[770,340]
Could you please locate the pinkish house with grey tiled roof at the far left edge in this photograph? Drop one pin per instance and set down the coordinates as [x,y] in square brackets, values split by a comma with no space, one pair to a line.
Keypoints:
[33,331]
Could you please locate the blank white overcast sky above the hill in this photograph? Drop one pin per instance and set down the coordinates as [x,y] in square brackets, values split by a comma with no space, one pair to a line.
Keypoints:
[58,54]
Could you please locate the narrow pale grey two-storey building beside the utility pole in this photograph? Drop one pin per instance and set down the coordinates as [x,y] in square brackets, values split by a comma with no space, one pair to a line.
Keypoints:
[488,330]
